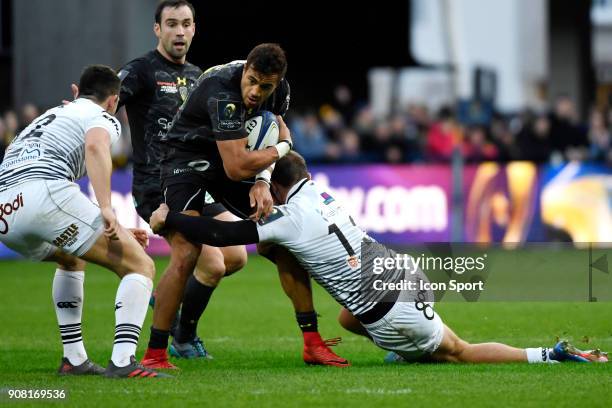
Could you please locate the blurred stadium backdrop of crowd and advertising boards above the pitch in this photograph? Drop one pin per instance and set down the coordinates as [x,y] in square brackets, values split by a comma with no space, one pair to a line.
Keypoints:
[412,98]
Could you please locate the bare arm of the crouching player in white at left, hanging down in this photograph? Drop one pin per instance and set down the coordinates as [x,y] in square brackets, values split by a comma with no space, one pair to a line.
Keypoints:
[99,167]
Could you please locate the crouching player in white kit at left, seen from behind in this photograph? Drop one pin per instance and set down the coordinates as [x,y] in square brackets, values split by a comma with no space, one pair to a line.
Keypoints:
[45,217]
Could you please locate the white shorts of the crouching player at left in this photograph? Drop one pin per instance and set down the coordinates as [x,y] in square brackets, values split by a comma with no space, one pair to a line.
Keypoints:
[38,217]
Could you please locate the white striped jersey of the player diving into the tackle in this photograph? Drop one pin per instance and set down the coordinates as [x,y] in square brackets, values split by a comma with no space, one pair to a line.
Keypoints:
[322,236]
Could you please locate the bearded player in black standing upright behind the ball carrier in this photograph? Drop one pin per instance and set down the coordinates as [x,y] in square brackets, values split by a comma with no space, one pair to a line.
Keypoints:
[152,88]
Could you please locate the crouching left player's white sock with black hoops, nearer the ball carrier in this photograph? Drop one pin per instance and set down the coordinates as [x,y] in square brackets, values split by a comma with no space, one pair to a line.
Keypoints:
[131,305]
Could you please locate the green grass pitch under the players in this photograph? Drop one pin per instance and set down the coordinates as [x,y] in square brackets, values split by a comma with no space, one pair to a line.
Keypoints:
[250,329]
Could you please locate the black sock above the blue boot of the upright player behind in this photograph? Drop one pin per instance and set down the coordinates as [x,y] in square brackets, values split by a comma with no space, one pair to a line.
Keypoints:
[195,300]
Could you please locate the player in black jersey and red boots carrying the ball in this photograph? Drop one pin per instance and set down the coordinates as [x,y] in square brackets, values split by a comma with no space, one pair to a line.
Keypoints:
[205,152]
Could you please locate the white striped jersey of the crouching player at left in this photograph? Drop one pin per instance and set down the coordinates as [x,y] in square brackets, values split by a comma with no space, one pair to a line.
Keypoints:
[52,147]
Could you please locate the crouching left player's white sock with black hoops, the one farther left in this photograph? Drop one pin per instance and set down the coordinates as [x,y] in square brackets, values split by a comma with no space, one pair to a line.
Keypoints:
[68,302]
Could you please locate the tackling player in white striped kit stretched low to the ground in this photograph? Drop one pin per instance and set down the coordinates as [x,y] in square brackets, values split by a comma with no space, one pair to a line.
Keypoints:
[315,228]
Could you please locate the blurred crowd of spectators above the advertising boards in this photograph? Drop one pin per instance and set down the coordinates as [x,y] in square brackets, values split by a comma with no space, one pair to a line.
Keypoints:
[343,132]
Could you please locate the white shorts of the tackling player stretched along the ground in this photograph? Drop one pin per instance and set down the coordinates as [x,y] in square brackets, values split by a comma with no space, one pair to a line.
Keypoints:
[408,331]
